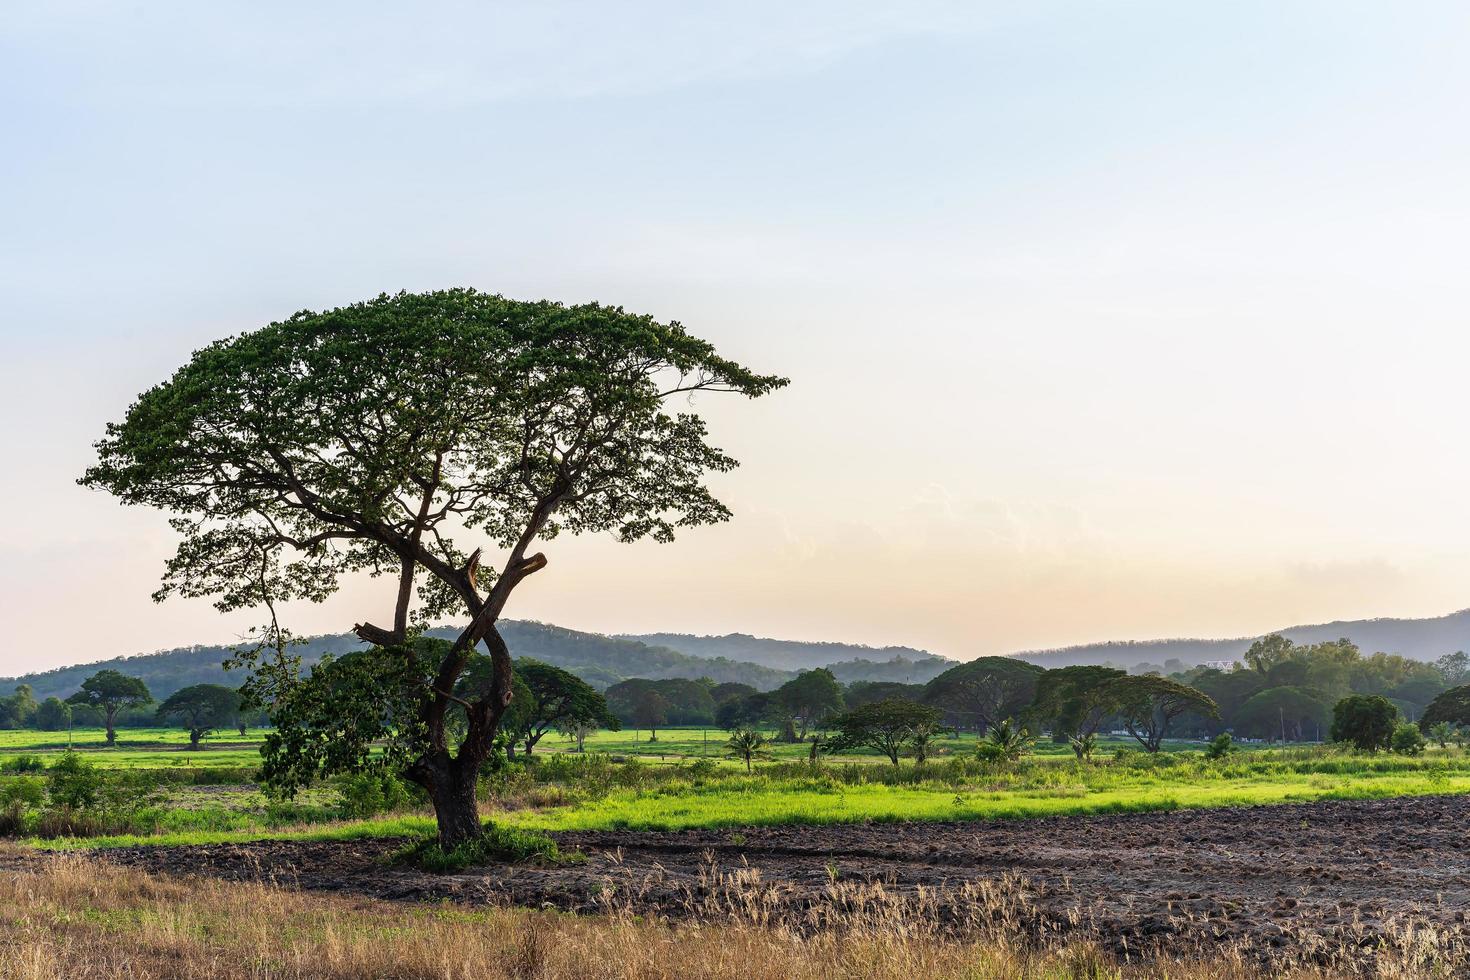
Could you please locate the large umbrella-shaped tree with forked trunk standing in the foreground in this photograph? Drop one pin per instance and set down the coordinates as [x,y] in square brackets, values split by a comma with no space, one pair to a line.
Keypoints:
[364,440]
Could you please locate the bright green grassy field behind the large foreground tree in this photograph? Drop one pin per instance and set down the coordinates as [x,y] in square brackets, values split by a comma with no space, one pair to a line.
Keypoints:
[681,781]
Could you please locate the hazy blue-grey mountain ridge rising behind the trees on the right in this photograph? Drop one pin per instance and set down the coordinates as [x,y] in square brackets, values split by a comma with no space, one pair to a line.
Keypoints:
[1416,638]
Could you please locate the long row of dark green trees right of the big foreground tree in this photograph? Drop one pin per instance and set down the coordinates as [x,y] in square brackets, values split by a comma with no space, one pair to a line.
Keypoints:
[1283,691]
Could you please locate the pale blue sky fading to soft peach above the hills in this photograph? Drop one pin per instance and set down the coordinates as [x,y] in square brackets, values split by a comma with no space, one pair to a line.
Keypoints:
[1105,321]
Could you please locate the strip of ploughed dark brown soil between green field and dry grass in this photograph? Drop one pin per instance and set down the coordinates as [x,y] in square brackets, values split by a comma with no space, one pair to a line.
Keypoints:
[1311,882]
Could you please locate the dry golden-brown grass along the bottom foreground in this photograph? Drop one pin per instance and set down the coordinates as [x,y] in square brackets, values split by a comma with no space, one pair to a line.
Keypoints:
[80,918]
